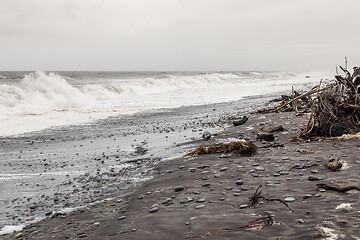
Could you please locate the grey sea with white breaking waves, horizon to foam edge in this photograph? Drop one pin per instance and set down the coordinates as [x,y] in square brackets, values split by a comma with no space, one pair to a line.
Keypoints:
[34,101]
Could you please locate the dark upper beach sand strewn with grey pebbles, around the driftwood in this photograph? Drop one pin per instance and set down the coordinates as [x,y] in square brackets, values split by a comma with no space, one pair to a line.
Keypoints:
[211,197]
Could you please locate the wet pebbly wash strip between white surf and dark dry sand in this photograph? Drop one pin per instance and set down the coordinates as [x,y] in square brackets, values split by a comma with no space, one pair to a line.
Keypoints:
[59,168]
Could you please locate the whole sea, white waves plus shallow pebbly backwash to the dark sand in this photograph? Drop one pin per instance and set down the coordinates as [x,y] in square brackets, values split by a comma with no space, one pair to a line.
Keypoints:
[71,139]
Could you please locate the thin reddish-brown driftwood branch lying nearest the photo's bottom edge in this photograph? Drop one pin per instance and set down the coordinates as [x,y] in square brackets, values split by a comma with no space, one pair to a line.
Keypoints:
[258,223]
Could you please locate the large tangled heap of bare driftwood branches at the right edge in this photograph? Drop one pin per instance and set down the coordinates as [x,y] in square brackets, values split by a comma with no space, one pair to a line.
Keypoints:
[336,109]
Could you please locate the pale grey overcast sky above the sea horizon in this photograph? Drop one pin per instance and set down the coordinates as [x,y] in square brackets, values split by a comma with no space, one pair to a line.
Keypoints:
[178,34]
